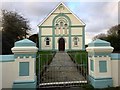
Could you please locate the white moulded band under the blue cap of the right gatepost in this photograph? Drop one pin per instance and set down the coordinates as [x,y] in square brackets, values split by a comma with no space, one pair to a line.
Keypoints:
[100,49]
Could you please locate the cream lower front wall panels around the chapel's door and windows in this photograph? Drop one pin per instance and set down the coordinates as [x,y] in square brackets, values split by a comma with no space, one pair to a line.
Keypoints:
[73,47]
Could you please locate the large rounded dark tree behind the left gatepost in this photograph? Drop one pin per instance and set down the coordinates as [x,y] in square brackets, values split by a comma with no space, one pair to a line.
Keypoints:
[14,27]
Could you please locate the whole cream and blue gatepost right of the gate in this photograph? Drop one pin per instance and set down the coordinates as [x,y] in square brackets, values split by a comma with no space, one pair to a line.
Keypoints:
[99,63]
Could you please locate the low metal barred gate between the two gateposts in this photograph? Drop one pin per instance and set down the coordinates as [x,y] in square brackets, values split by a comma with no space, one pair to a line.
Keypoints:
[61,69]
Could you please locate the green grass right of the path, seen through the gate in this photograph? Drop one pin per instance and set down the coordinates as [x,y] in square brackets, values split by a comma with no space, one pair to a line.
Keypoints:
[80,58]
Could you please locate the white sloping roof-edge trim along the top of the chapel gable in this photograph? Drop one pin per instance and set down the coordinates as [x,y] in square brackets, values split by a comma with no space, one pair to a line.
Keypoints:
[54,11]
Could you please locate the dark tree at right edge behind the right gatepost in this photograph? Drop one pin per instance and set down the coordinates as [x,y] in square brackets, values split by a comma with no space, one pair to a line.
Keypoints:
[112,36]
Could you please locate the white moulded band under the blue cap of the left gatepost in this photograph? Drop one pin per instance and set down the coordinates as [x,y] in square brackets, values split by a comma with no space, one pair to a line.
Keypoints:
[31,49]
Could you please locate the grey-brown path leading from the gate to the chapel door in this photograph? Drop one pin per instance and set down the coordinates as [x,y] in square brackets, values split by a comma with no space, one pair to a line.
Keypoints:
[61,69]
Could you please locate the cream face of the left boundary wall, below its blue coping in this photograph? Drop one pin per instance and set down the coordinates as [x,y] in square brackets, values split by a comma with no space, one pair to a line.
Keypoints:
[8,74]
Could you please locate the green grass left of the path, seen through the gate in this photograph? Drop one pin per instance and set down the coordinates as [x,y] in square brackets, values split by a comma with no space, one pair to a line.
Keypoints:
[42,62]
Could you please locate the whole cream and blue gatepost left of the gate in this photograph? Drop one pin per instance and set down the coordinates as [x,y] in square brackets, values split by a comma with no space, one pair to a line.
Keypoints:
[25,62]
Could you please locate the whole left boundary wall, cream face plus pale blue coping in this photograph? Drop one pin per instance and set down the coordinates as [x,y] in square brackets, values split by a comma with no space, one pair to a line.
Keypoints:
[9,72]
